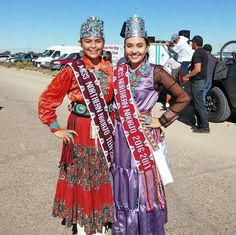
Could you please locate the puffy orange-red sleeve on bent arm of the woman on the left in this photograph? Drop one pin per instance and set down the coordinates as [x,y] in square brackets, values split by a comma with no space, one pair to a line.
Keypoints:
[52,97]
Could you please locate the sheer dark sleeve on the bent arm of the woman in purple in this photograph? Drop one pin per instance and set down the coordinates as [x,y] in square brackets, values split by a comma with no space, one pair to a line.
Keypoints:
[163,80]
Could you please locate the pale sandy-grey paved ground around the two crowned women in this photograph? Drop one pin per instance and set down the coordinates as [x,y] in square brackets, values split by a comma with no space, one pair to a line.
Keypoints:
[201,201]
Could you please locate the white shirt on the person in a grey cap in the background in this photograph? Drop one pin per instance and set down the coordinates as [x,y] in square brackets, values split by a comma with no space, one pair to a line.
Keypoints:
[183,50]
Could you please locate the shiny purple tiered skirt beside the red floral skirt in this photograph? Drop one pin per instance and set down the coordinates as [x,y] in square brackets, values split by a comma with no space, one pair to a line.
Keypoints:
[130,213]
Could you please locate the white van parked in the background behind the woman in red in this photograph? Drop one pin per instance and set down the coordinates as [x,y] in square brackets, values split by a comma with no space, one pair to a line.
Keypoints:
[54,52]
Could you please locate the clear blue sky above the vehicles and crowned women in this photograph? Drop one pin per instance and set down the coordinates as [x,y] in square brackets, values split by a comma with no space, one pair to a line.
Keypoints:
[35,25]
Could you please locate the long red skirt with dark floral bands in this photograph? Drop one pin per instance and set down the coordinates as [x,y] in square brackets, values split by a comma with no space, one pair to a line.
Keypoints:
[83,194]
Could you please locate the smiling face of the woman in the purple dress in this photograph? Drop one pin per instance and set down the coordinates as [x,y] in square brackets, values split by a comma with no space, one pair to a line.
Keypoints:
[135,49]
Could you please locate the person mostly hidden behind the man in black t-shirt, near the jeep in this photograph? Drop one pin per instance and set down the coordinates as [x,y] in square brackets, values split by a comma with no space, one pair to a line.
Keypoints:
[210,67]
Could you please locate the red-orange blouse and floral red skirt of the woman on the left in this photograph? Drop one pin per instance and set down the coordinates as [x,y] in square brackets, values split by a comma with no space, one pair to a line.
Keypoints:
[83,192]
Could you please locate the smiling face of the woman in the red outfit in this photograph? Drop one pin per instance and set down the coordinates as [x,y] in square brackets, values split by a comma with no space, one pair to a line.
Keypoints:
[92,47]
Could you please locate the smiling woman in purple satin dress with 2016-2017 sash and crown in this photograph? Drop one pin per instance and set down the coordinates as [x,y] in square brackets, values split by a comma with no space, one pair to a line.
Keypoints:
[140,205]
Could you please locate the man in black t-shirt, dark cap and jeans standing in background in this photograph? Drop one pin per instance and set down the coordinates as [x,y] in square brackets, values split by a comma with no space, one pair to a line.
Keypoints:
[198,79]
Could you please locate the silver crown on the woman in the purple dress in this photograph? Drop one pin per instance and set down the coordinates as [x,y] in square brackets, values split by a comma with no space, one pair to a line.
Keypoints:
[135,27]
